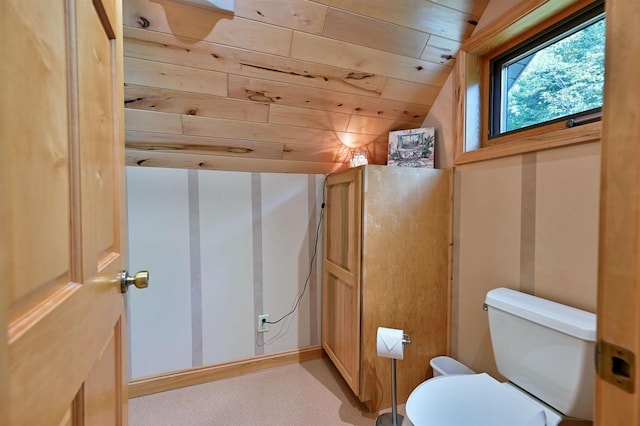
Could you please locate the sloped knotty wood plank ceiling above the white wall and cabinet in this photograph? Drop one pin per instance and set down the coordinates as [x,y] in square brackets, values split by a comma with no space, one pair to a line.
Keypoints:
[283,85]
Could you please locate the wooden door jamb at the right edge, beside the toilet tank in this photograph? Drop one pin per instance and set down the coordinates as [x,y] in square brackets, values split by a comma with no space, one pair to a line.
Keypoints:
[619,256]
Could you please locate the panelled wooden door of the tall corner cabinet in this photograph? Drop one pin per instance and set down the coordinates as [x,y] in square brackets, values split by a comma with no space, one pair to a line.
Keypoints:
[341,276]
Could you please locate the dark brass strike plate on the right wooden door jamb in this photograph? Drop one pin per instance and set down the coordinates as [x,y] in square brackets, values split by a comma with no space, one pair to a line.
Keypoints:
[616,365]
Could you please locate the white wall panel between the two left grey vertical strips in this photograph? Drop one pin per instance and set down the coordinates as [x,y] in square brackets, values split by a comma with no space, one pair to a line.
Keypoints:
[226,264]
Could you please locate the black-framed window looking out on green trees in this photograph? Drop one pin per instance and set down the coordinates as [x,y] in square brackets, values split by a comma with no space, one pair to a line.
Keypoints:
[555,76]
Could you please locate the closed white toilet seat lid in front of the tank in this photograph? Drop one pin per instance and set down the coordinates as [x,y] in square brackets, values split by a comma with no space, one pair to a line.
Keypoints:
[473,399]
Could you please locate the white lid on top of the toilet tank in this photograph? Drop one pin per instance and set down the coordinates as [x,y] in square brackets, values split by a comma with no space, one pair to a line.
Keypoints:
[565,319]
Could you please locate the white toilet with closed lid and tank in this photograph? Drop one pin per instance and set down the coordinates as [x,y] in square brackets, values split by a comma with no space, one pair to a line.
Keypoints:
[545,350]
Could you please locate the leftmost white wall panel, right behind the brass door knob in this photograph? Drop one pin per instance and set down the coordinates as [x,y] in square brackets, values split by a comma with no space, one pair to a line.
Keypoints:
[158,222]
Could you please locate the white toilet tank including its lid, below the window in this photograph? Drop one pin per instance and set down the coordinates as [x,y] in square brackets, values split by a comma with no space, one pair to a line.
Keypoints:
[545,348]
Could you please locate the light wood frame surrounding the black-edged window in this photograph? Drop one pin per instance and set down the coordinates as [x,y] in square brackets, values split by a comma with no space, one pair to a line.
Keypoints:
[471,86]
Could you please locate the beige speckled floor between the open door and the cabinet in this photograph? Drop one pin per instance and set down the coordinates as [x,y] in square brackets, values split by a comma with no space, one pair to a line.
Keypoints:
[311,393]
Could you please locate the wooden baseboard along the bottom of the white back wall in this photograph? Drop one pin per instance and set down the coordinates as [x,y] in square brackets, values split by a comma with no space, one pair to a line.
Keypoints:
[194,376]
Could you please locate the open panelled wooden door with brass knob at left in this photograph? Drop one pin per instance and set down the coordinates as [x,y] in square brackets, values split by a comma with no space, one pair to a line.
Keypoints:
[61,213]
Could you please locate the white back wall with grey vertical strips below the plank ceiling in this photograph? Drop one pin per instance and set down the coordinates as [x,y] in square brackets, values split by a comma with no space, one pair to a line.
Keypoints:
[221,248]
